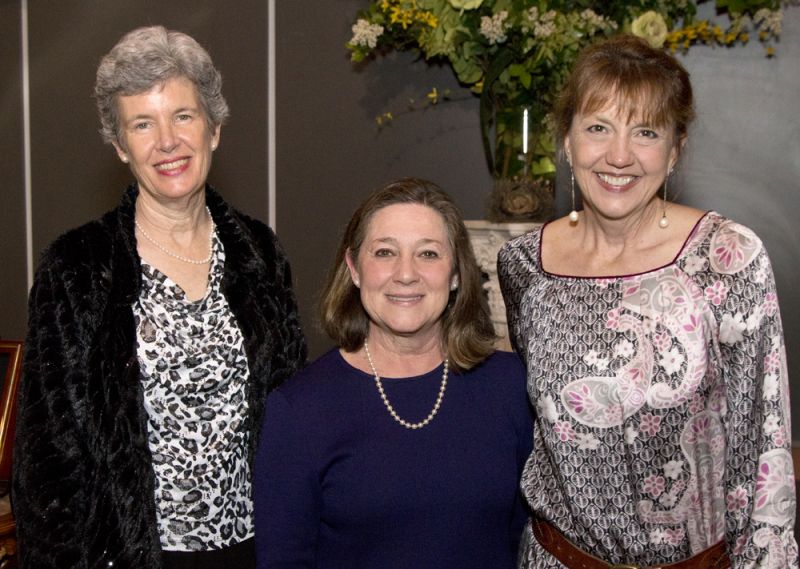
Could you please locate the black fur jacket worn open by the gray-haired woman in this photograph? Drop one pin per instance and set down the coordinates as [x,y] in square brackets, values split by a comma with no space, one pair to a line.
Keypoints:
[83,484]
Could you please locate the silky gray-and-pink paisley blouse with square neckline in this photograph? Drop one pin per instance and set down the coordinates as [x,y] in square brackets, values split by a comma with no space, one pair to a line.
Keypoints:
[662,399]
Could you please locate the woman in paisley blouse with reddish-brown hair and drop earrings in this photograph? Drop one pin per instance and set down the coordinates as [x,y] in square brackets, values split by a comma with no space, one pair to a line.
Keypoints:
[653,344]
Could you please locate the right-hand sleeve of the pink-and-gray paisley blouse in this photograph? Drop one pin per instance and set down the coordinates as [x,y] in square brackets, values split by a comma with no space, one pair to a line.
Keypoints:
[759,479]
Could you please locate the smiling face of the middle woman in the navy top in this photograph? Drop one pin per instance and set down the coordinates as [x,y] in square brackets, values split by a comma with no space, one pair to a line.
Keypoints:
[404,271]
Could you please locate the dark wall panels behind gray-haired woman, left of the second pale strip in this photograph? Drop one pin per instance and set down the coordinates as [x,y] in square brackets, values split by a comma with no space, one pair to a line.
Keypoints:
[74,176]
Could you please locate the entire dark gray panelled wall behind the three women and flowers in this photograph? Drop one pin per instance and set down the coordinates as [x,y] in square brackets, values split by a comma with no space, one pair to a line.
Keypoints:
[743,159]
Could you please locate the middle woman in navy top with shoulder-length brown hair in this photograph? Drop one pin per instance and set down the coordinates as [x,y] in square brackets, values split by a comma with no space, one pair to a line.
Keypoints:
[403,446]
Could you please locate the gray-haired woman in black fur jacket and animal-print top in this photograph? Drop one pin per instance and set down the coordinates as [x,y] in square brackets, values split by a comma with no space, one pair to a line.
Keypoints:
[155,334]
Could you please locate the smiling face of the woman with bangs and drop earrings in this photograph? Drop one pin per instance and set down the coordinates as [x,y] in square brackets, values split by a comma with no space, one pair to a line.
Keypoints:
[619,161]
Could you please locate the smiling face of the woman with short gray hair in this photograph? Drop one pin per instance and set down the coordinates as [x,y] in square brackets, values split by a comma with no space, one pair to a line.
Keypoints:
[166,139]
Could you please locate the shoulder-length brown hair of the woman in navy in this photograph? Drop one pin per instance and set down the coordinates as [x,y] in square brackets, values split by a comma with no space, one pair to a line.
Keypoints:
[467,332]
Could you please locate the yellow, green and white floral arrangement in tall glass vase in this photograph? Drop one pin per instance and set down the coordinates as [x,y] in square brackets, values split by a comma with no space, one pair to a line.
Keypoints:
[514,55]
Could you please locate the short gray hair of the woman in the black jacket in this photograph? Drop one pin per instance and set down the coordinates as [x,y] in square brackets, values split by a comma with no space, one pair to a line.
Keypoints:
[146,57]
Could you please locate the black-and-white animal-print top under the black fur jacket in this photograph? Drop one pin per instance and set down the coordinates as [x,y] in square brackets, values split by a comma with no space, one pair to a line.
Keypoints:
[195,373]
